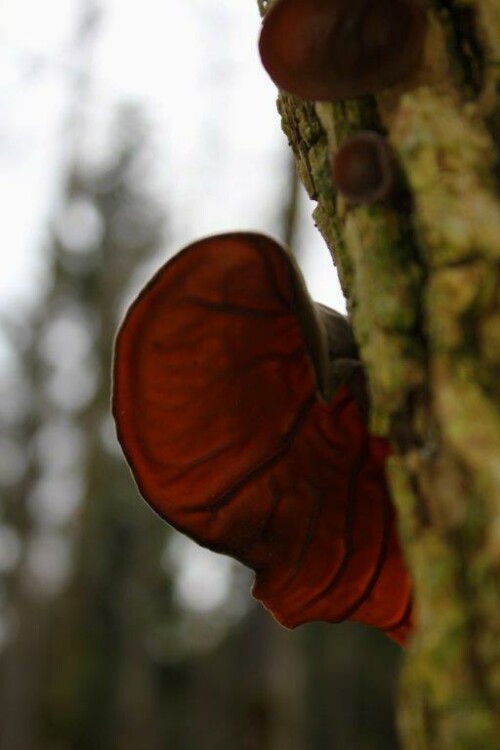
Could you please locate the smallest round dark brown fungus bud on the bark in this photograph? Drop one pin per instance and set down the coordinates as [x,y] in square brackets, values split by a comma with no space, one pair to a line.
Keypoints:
[364,168]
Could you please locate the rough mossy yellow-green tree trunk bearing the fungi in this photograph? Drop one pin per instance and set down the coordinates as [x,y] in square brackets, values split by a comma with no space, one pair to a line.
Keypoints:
[423,293]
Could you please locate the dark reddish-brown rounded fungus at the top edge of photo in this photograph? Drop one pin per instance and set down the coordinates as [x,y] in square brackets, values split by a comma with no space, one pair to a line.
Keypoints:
[339,49]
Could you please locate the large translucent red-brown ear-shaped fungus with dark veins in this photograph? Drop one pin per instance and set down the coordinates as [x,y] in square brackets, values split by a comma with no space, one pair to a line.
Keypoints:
[220,368]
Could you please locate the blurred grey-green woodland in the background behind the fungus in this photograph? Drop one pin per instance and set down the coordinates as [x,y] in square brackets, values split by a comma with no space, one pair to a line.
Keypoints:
[115,632]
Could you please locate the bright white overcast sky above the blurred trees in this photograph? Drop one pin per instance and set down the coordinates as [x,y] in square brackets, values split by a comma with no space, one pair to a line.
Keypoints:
[220,153]
